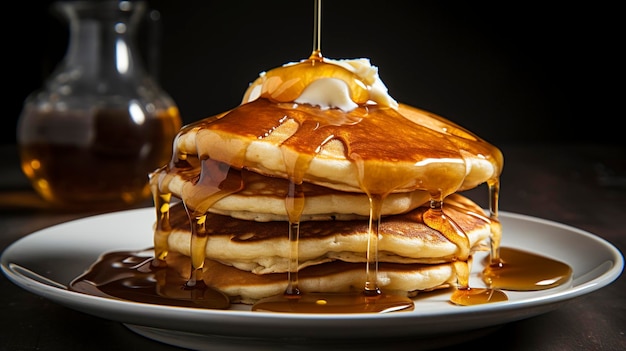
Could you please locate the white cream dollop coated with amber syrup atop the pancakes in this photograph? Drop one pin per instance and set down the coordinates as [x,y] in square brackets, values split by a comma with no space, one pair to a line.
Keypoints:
[326,83]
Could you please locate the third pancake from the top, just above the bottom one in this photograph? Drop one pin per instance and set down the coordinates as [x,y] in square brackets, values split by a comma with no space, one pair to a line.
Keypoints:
[264,247]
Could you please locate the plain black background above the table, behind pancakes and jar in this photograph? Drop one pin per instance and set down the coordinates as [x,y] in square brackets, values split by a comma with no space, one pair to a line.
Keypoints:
[516,72]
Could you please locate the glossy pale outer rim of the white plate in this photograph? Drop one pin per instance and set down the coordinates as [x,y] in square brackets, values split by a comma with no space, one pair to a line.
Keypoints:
[125,311]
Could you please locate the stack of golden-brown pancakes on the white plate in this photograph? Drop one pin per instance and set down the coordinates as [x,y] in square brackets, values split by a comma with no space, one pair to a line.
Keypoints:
[239,180]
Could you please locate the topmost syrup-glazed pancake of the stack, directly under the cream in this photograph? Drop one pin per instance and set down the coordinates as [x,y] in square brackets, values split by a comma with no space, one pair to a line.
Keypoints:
[371,149]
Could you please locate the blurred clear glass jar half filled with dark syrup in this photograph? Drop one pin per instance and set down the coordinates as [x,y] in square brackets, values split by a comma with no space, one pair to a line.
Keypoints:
[100,124]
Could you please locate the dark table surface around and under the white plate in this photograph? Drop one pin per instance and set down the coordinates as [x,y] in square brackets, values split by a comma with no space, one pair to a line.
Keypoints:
[580,185]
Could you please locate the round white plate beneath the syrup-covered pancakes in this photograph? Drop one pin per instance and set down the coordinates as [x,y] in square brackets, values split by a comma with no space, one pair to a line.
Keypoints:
[46,261]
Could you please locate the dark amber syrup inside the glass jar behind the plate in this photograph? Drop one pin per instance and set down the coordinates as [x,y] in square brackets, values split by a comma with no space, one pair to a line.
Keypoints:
[97,159]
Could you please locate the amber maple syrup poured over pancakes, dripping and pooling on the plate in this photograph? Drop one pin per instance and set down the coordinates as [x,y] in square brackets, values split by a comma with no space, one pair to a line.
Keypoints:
[370,134]
